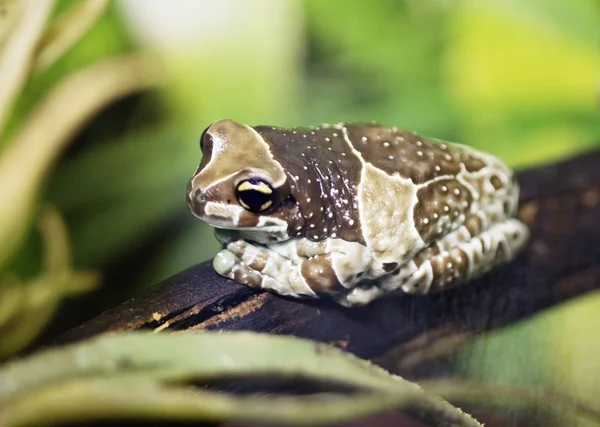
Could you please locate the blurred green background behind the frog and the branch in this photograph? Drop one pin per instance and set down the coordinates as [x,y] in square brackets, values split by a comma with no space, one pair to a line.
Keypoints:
[517,78]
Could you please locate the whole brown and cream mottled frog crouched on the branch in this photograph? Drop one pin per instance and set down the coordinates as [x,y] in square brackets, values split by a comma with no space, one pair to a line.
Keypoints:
[353,211]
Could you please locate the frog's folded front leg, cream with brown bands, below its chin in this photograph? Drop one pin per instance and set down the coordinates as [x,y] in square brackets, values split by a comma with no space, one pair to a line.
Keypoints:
[297,267]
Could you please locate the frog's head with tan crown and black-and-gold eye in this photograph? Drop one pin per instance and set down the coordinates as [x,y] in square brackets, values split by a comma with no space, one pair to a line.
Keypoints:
[240,186]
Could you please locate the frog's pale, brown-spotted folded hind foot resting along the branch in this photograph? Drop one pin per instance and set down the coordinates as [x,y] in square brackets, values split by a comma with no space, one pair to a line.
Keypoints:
[453,260]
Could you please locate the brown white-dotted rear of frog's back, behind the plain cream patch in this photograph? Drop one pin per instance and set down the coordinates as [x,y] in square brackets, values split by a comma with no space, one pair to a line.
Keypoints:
[453,182]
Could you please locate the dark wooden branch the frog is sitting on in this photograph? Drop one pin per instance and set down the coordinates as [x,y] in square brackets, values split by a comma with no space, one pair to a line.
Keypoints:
[560,203]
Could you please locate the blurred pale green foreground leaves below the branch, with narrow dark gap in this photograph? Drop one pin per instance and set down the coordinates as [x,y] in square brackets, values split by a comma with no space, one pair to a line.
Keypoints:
[146,376]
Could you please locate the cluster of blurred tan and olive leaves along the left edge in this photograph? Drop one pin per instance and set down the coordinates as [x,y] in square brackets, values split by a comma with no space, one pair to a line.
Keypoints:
[28,47]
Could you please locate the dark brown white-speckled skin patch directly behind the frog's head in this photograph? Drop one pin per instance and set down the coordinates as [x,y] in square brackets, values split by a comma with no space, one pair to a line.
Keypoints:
[323,173]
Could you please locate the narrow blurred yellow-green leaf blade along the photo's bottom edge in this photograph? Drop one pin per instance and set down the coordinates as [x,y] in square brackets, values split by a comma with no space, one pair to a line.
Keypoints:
[104,399]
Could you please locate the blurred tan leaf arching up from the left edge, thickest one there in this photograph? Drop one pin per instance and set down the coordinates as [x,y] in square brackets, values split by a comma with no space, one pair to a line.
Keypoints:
[30,154]
